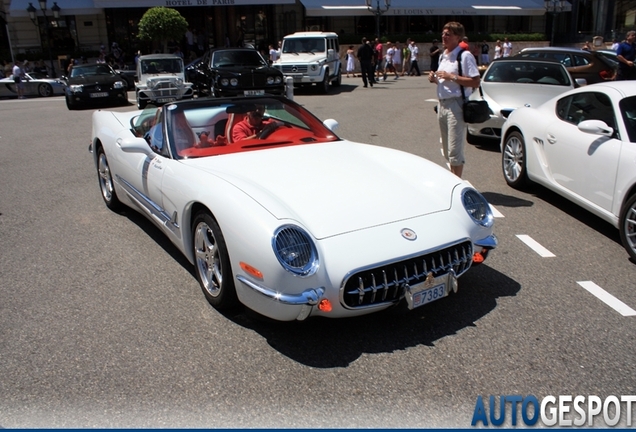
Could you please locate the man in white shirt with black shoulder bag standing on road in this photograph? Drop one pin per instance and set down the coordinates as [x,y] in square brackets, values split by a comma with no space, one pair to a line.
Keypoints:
[449,82]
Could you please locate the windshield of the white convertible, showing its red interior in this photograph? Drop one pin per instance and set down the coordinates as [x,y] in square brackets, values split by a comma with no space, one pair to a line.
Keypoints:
[208,127]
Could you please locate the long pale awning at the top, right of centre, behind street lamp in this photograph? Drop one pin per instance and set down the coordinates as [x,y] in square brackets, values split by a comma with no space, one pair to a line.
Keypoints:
[418,7]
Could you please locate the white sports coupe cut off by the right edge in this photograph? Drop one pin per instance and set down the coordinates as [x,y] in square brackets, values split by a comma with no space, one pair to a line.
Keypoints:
[582,145]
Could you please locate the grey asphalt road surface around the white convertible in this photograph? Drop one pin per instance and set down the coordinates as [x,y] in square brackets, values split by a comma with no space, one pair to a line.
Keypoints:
[103,324]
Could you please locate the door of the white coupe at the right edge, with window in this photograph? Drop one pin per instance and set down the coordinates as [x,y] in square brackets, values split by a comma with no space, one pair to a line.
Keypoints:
[583,163]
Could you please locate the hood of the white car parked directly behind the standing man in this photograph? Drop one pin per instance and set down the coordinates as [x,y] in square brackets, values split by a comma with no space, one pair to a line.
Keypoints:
[515,95]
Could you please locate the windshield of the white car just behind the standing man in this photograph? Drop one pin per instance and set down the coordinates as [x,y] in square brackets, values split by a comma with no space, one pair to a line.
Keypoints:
[527,72]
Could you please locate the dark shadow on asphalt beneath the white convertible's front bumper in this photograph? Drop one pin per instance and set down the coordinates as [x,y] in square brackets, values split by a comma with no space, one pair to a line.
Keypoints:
[331,343]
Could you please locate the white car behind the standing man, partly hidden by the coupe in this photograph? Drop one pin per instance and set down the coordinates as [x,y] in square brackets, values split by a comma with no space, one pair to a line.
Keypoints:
[509,83]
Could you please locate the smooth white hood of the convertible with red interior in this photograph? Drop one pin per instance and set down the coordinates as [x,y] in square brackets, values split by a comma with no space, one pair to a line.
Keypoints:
[339,187]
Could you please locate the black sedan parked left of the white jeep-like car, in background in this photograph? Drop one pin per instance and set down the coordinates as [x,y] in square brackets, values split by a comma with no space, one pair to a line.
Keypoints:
[97,83]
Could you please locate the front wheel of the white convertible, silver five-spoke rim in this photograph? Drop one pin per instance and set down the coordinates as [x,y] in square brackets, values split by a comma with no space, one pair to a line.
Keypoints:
[212,262]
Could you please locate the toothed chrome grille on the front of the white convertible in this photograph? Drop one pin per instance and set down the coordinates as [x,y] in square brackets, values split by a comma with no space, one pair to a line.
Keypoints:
[387,283]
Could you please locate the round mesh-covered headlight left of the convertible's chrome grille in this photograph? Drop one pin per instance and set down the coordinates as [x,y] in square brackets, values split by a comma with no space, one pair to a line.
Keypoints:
[295,250]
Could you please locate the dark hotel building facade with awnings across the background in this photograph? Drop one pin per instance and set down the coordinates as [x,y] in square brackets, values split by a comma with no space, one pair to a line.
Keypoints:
[85,25]
